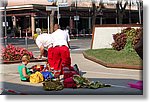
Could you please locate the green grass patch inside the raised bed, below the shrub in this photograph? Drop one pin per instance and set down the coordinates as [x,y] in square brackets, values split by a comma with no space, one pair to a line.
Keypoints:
[115,57]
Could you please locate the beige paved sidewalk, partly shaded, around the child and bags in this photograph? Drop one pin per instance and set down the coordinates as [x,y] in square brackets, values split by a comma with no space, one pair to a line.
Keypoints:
[118,78]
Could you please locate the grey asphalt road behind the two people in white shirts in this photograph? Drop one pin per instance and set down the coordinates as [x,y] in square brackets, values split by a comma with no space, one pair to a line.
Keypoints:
[77,45]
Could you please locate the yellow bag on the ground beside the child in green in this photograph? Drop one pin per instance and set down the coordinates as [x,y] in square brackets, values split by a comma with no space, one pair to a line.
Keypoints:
[36,78]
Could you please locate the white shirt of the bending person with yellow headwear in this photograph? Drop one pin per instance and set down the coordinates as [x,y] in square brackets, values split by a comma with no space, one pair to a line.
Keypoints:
[44,40]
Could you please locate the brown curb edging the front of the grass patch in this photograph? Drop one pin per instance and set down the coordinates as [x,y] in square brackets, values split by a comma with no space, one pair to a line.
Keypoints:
[109,65]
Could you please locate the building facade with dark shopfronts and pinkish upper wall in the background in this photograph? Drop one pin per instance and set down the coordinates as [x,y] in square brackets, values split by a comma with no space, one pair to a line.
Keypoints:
[24,16]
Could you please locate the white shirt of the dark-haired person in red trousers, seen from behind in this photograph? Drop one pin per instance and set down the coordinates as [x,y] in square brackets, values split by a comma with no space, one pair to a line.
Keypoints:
[60,37]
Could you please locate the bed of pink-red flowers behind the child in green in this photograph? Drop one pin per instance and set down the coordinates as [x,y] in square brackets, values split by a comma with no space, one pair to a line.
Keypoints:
[12,54]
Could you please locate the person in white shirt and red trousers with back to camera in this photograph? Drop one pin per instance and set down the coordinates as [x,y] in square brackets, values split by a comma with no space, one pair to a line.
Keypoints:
[61,53]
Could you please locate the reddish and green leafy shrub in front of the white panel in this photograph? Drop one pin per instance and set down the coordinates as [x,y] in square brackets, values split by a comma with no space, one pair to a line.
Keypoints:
[126,39]
